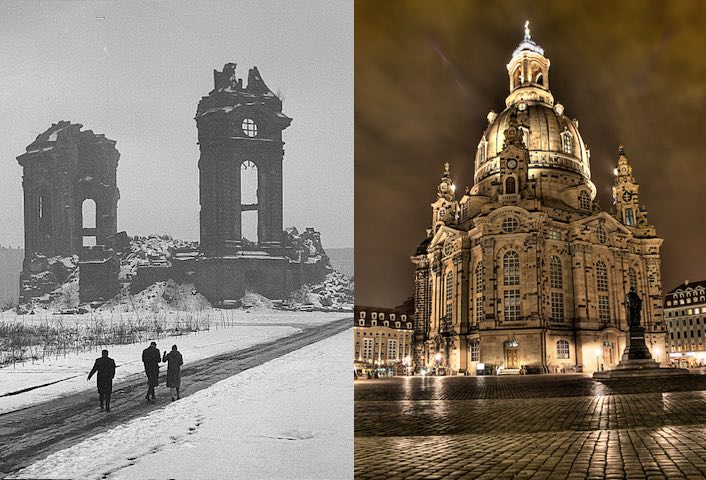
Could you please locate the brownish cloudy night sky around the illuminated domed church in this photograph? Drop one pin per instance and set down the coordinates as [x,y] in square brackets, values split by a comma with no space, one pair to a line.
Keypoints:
[427,74]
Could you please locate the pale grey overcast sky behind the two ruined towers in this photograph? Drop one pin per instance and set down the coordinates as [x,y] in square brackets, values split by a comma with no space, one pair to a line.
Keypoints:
[136,71]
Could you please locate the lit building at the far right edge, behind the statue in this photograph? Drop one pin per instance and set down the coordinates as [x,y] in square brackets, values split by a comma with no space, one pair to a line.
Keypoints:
[685,316]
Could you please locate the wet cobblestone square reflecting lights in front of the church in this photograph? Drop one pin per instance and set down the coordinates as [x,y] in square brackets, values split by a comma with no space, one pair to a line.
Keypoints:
[538,427]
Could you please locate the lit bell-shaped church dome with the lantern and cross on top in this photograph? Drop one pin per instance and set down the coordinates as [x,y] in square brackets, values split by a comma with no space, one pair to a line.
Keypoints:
[552,139]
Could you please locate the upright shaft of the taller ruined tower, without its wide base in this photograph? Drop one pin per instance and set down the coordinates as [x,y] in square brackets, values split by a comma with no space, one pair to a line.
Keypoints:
[240,167]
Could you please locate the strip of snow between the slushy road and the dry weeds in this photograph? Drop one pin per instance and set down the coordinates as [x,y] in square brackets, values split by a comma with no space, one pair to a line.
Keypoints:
[243,330]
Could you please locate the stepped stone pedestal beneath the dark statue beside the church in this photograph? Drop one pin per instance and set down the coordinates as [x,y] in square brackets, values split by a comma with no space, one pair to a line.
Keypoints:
[637,361]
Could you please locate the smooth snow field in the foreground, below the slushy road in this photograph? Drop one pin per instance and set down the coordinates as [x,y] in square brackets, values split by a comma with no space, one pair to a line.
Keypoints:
[290,418]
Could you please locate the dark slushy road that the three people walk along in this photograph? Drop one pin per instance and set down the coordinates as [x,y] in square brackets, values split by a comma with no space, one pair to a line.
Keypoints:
[33,433]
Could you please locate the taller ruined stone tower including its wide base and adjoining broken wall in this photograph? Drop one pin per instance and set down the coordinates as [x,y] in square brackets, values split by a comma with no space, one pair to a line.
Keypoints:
[240,134]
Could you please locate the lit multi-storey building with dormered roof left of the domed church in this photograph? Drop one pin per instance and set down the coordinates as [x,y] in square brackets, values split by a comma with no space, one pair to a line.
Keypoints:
[383,340]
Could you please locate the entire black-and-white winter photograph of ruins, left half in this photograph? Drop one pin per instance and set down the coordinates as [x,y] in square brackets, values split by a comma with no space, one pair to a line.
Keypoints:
[176,239]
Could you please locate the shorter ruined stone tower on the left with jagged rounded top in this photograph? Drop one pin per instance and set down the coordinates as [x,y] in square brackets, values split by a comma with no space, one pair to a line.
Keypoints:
[69,173]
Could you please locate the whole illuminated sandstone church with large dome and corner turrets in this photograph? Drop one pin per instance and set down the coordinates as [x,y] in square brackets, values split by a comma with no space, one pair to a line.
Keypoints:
[524,273]
